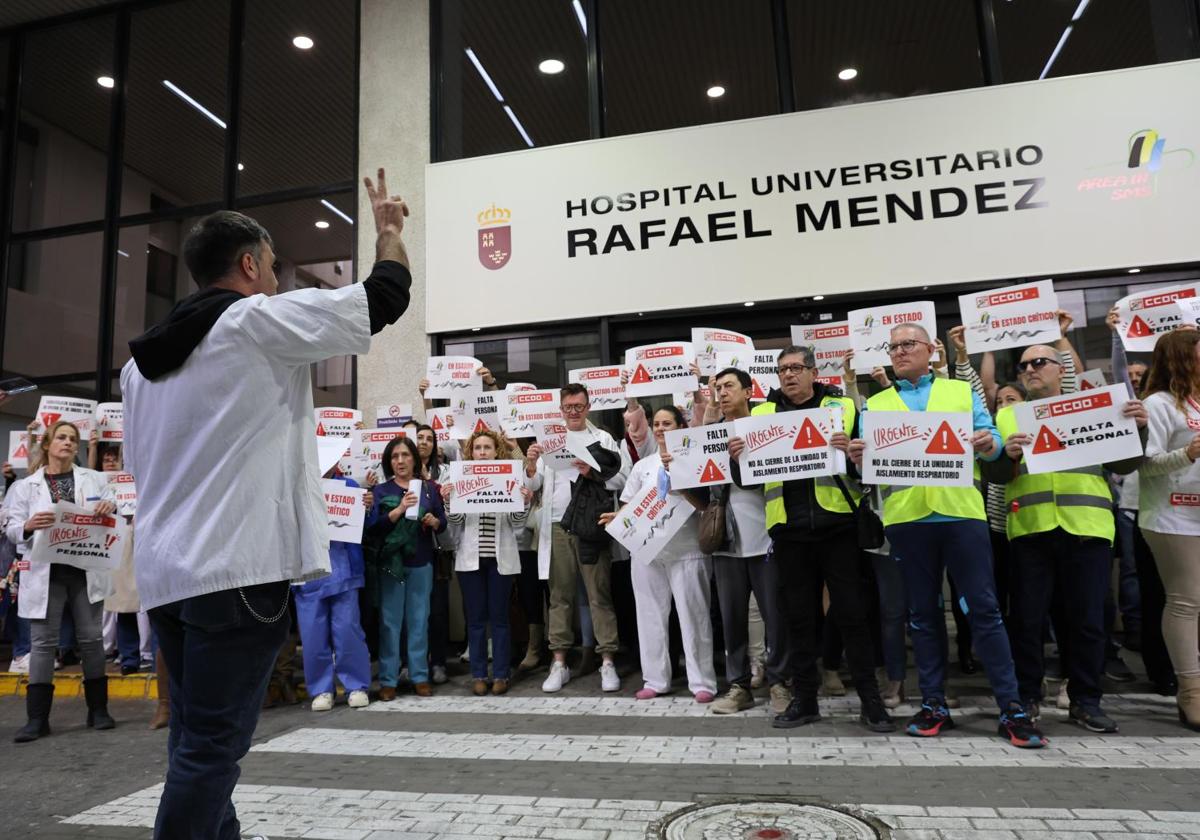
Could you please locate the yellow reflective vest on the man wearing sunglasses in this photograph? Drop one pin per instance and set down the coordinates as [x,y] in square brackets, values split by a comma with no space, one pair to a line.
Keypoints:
[1078,501]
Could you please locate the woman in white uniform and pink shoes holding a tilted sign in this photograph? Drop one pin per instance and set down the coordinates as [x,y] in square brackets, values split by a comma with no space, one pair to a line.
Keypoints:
[679,571]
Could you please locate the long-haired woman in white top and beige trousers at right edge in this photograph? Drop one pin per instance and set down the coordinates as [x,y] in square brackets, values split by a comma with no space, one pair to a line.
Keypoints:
[1169,501]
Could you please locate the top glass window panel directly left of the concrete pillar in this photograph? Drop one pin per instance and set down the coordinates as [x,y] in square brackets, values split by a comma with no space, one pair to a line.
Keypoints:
[298,106]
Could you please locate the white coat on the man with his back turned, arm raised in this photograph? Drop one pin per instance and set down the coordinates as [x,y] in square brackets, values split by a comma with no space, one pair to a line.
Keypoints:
[225,448]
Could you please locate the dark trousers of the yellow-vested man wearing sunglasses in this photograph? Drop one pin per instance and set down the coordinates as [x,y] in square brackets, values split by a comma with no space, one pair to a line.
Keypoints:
[1077,571]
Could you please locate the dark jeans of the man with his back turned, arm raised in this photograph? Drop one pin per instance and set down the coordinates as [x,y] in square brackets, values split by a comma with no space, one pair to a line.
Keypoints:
[219,658]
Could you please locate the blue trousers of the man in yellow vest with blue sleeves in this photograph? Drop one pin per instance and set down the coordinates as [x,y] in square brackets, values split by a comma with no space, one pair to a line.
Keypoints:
[925,551]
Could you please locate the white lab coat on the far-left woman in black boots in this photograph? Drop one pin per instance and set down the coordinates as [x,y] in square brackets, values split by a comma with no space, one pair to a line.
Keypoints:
[33,496]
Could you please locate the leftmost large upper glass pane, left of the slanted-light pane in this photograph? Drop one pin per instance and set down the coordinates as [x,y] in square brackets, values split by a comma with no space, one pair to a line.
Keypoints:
[63,143]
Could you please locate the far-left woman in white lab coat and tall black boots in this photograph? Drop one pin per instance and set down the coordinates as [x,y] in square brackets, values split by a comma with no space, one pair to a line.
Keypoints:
[47,590]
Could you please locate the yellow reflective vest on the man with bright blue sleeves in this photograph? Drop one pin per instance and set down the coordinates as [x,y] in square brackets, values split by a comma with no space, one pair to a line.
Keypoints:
[910,505]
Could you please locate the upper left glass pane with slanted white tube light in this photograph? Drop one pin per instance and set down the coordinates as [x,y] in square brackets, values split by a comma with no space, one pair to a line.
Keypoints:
[175,152]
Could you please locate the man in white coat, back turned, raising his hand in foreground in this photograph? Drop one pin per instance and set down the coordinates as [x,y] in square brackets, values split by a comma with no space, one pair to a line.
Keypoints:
[220,436]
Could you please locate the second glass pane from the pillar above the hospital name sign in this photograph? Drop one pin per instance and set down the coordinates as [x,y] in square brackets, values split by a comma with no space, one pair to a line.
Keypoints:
[662,58]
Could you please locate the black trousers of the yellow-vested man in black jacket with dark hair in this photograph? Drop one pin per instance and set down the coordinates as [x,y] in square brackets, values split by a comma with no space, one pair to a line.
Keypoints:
[803,569]
